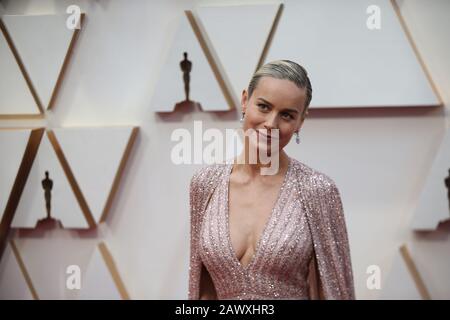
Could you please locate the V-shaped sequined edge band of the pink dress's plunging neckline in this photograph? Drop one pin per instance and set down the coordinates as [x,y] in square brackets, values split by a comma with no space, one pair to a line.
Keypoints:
[266,225]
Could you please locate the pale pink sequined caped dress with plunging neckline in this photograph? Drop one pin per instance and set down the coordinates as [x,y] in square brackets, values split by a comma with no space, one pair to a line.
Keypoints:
[304,234]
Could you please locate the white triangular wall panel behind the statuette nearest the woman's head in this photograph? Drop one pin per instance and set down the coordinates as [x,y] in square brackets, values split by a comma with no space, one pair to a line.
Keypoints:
[208,86]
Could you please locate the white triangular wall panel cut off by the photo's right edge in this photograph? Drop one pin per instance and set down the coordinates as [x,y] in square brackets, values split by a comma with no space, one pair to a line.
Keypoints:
[433,205]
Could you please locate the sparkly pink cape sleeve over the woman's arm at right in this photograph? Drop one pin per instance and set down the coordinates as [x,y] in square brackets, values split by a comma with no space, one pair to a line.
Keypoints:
[331,246]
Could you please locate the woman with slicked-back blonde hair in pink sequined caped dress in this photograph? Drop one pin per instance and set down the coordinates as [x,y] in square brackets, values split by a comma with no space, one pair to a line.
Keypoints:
[280,236]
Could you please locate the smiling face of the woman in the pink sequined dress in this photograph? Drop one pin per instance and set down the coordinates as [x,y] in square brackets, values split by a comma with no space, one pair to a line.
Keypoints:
[274,104]
